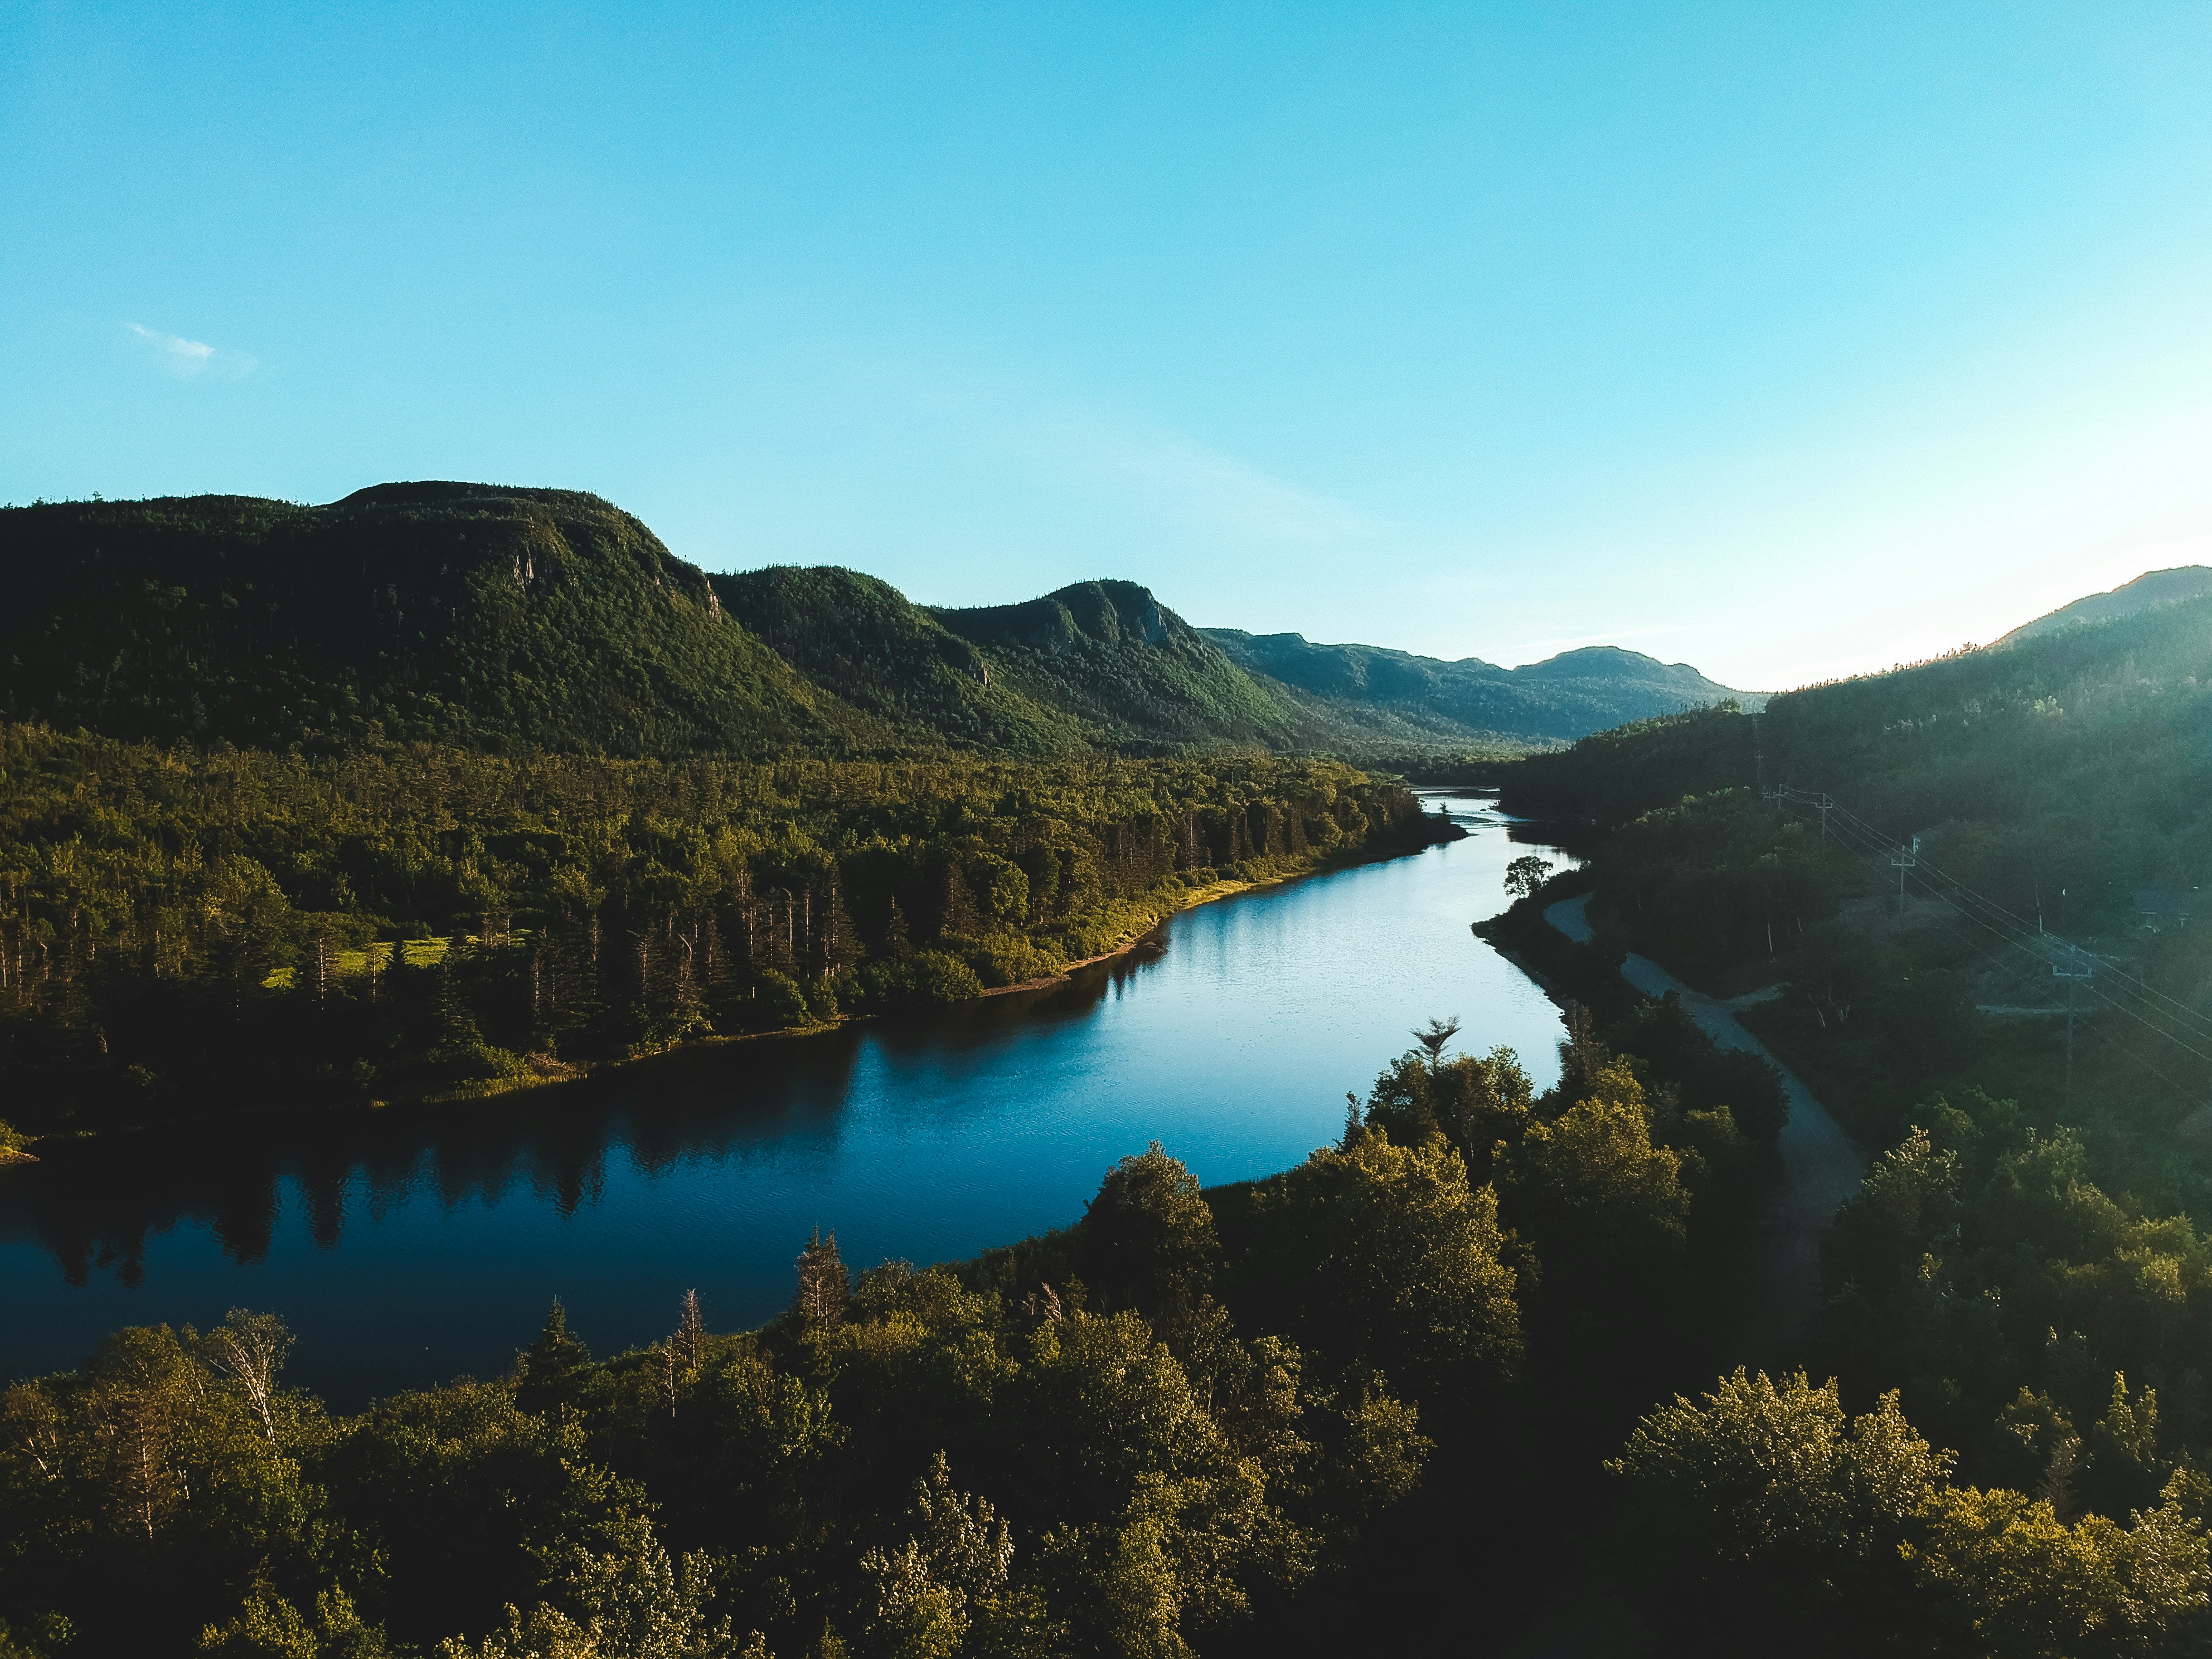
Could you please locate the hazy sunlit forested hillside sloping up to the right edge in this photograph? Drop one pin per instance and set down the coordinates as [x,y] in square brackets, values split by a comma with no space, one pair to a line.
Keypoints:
[2080,758]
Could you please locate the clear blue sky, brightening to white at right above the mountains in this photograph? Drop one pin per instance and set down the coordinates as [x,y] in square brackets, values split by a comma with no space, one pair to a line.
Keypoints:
[1782,340]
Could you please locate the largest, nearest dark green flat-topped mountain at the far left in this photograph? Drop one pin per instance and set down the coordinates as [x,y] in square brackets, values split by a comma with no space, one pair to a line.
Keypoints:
[488,618]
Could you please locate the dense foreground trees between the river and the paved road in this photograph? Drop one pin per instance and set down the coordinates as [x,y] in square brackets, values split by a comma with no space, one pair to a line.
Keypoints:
[1251,1419]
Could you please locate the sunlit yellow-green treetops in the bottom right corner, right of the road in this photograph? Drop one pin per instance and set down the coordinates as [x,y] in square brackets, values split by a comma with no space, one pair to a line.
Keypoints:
[1773,1523]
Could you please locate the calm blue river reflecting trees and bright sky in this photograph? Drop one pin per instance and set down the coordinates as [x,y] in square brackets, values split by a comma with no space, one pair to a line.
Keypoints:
[415,1246]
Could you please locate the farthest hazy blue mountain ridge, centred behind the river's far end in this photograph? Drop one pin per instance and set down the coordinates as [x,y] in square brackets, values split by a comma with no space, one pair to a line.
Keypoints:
[1556,700]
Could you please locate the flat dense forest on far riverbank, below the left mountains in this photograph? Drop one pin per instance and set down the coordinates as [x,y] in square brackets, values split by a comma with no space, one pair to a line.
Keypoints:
[185,930]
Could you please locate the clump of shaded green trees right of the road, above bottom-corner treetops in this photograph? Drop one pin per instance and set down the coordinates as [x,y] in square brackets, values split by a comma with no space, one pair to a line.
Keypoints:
[2052,1331]
